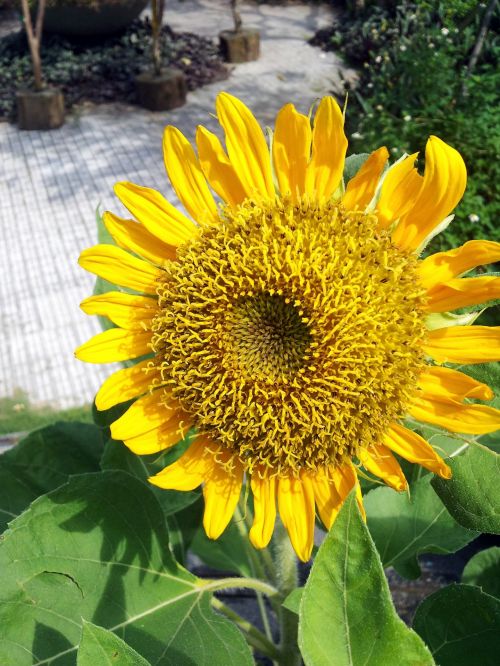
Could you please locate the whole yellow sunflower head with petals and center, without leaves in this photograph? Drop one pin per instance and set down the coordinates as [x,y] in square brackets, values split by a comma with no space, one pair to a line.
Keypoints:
[288,323]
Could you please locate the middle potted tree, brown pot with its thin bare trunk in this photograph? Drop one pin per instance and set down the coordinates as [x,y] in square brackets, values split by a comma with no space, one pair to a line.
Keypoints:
[160,89]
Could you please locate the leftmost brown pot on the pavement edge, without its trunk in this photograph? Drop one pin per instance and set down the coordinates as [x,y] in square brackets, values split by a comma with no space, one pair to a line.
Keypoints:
[40,109]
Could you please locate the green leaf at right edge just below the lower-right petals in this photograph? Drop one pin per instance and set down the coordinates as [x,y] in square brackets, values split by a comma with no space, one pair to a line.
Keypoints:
[471,495]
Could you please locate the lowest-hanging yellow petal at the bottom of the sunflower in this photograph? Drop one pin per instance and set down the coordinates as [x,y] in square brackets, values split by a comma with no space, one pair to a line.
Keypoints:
[296,507]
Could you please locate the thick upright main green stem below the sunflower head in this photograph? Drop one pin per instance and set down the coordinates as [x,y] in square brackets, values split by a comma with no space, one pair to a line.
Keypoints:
[287,582]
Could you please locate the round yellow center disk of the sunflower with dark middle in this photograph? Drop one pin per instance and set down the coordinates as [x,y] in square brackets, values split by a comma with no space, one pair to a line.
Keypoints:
[291,334]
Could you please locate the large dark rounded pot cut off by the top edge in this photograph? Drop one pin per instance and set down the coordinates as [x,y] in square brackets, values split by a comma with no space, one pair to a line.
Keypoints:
[102,17]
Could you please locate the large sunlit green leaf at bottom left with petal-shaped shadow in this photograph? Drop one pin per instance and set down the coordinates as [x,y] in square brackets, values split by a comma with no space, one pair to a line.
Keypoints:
[97,549]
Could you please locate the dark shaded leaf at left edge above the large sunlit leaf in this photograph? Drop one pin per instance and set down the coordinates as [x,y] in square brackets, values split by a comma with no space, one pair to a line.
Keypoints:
[43,461]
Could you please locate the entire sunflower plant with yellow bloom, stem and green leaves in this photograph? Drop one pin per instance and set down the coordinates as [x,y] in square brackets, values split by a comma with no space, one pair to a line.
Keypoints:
[292,366]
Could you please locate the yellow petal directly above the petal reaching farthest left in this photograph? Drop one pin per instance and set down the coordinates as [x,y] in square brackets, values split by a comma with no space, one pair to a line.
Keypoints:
[125,310]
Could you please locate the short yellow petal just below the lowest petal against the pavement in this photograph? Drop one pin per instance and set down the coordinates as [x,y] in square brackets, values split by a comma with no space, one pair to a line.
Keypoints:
[142,416]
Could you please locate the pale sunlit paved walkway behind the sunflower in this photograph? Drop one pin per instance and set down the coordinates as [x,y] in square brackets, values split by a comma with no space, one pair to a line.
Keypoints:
[52,182]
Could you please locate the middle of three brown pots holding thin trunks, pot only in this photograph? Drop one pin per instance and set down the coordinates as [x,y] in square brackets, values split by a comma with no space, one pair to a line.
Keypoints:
[161,93]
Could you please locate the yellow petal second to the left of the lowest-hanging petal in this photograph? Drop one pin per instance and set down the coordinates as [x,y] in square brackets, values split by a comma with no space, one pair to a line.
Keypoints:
[221,492]
